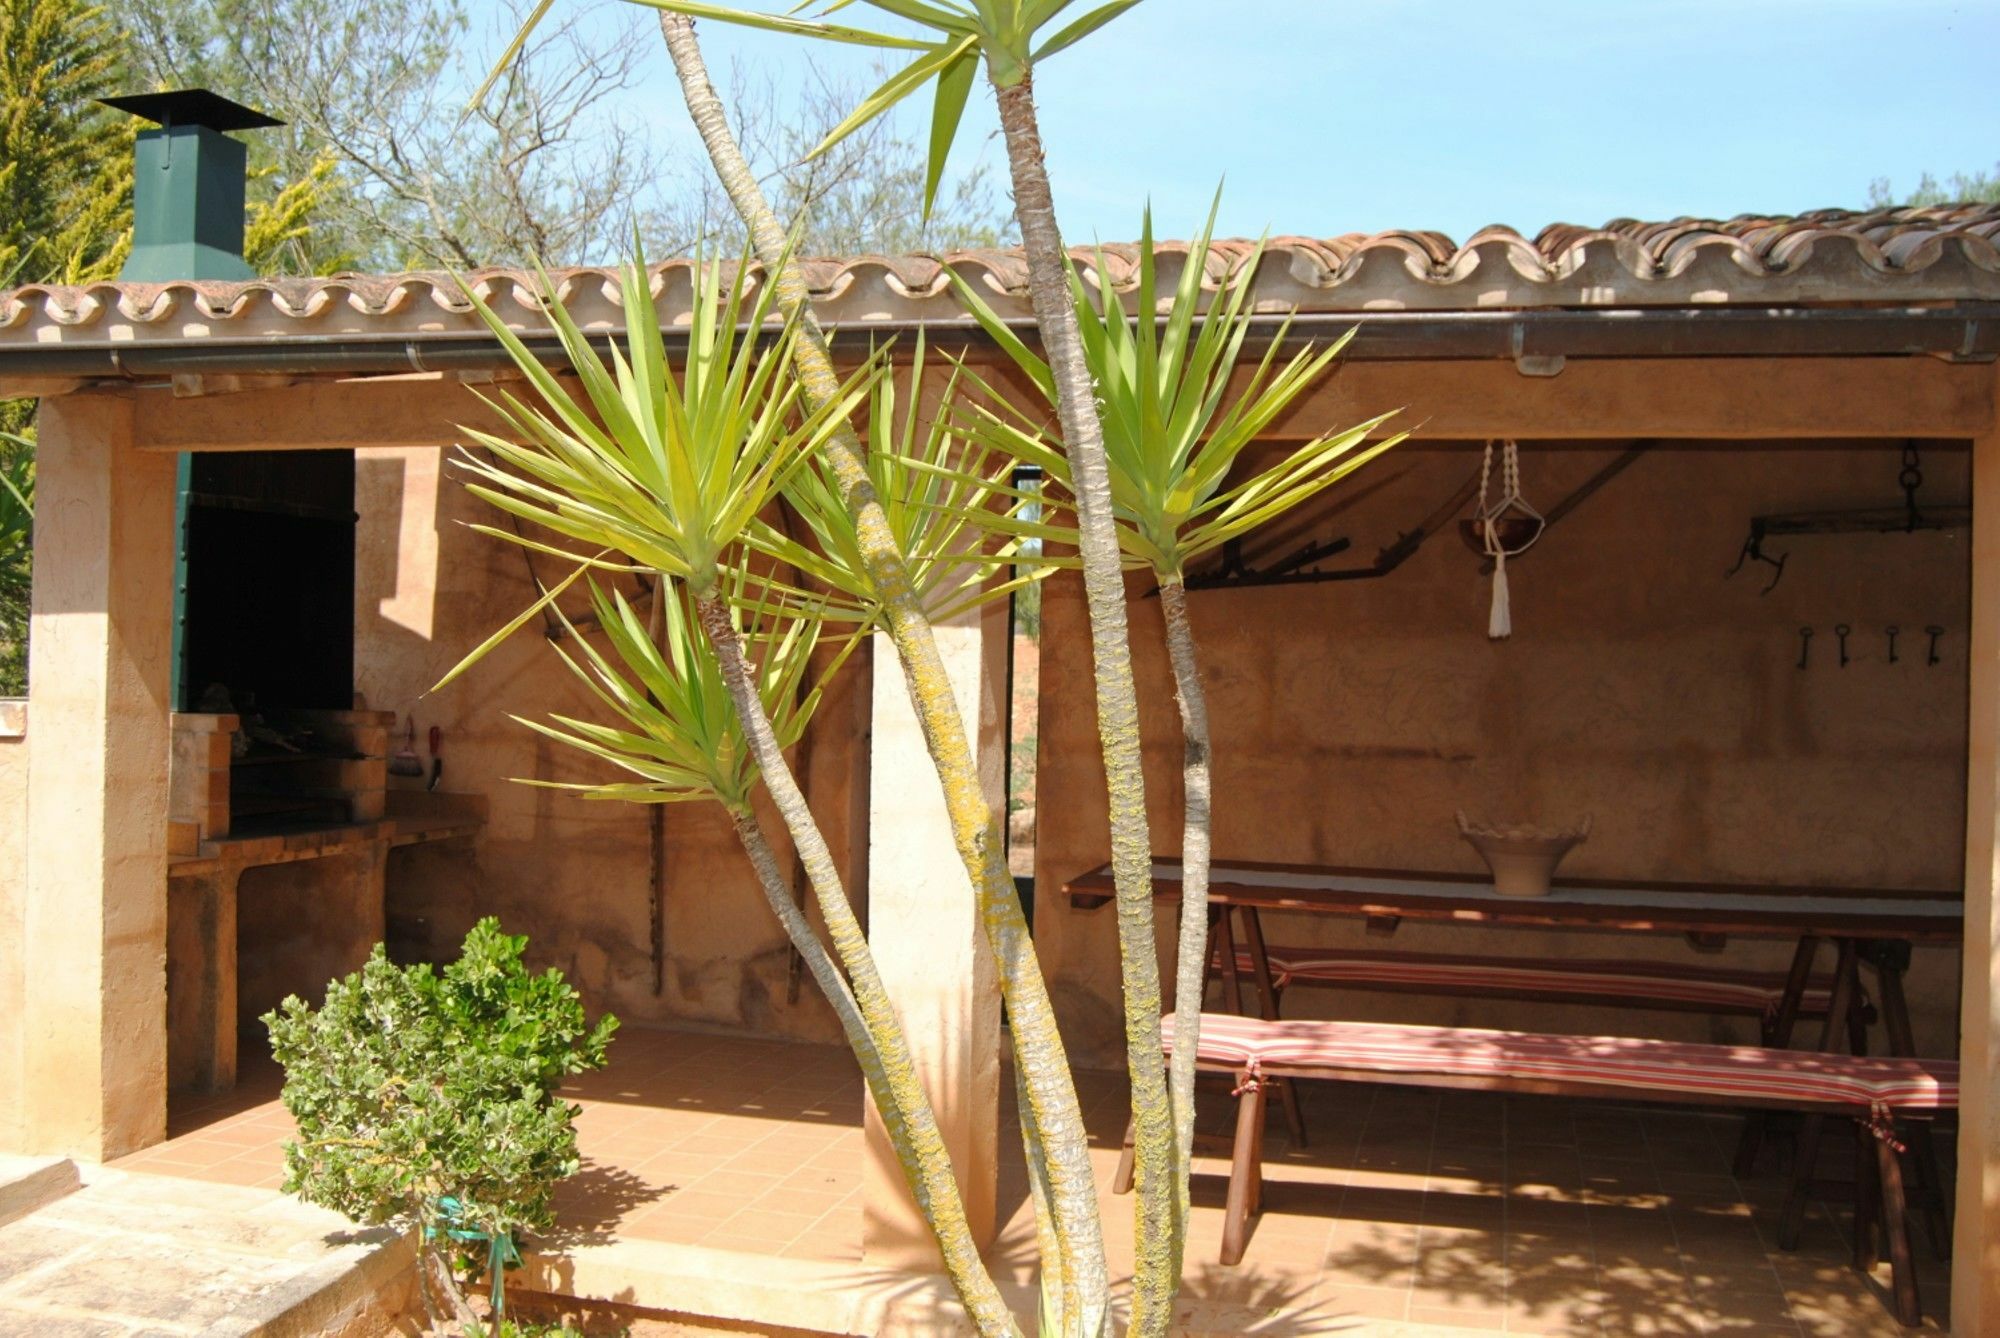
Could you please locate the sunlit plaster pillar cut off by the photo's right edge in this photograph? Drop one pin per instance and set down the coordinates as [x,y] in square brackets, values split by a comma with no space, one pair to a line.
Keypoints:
[1977,1227]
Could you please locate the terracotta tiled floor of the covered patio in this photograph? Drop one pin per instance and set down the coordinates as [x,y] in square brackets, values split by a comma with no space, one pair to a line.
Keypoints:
[1409,1209]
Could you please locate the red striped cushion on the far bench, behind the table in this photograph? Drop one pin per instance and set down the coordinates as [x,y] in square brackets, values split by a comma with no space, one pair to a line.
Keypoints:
[1669,983]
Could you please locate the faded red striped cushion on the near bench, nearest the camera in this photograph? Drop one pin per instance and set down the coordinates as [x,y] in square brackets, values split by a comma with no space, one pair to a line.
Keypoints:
[1723,1073]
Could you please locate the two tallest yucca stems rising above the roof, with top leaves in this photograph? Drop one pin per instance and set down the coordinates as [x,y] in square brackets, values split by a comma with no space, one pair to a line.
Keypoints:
[1007,39]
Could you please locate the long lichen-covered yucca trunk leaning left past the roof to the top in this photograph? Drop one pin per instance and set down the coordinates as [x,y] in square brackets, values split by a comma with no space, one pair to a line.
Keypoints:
[1053,1125]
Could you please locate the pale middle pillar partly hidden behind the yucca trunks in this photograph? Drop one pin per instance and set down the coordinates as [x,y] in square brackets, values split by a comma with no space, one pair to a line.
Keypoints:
[927,939]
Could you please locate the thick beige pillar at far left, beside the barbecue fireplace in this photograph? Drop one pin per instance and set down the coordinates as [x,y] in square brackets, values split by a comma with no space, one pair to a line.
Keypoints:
[95,915]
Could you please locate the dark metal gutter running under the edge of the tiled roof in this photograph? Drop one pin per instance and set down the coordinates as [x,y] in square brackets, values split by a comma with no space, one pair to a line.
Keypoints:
[1539,341]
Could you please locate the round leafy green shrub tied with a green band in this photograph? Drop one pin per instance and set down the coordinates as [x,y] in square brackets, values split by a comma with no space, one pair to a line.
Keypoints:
[429,1099]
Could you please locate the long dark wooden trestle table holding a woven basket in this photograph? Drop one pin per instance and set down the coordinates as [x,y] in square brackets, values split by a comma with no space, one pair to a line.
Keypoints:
[1875,925]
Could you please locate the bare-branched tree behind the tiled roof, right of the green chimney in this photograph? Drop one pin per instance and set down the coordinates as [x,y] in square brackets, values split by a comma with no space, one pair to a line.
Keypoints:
[541,171]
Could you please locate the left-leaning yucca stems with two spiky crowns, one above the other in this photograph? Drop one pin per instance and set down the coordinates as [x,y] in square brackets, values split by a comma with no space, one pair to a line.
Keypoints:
[663,473]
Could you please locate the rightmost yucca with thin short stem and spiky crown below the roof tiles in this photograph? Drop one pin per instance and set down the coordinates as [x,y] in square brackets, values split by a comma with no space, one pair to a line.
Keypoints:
[1175,437]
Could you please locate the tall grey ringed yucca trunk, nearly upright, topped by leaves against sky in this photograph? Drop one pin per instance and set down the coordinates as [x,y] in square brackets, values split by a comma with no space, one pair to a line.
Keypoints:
[1161,1187]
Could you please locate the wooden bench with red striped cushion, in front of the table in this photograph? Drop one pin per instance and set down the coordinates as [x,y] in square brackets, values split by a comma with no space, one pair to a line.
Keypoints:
[1871,1091]
